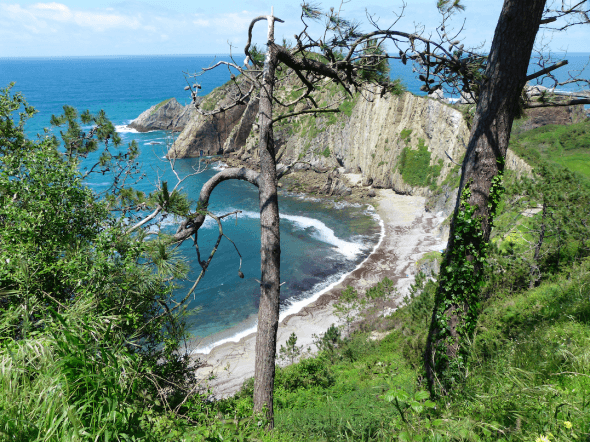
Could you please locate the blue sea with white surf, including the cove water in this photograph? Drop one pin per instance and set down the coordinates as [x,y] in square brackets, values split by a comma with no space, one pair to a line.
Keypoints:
[320,241]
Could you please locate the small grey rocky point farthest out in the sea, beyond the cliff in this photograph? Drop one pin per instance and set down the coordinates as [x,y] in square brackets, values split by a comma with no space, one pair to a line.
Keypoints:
[167,115]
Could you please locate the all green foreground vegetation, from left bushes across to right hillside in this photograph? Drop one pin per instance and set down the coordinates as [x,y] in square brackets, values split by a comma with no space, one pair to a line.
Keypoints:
[82,322]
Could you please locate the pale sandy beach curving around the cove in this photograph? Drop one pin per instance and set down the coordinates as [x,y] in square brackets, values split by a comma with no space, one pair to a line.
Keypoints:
[409,232]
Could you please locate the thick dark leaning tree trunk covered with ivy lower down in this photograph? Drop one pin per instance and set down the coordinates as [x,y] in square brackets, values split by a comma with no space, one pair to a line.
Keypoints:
[457,299]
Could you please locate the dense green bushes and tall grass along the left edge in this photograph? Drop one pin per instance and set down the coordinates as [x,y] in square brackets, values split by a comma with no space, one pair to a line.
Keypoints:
[88,346]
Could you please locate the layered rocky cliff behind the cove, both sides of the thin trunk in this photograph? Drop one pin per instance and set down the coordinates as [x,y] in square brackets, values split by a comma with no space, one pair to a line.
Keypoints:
[407,143]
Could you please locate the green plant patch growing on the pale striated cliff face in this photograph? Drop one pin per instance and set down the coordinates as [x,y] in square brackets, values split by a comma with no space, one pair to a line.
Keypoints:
[414,165]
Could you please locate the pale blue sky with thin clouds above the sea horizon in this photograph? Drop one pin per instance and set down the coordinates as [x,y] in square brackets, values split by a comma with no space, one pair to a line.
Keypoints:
[175,27]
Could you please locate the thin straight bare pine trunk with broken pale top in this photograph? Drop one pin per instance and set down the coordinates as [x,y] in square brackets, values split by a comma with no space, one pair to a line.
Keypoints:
[270,249]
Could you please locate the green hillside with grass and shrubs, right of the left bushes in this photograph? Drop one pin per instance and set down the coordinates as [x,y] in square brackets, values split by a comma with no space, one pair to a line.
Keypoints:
[529,371]
